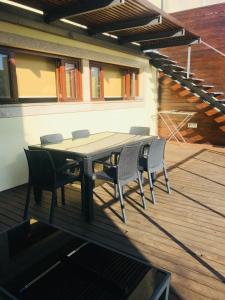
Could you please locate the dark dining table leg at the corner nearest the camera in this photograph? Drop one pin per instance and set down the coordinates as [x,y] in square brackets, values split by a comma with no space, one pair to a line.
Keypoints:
[87,189]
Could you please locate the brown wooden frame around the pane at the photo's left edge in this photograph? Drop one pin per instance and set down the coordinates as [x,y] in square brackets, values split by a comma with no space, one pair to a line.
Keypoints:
[12,77]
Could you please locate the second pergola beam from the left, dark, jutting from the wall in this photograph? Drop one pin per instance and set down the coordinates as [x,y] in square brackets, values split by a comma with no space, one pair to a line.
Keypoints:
[126,24]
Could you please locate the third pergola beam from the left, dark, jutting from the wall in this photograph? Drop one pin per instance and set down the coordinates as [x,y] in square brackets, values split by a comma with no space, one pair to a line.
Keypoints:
[148,36]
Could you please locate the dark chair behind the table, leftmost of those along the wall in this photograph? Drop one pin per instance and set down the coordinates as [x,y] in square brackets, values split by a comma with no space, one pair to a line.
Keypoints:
[60,162]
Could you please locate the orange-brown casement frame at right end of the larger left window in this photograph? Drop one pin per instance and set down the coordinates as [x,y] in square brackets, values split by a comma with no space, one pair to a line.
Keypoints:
[61,80]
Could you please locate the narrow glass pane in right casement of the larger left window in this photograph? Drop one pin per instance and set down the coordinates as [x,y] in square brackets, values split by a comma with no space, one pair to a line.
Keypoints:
[70,70]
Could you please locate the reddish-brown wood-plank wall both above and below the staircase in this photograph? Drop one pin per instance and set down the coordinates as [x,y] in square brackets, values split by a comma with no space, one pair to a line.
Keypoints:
[209,23]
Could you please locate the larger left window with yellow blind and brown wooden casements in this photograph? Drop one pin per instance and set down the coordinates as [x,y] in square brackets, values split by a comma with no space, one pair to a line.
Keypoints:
[29,76]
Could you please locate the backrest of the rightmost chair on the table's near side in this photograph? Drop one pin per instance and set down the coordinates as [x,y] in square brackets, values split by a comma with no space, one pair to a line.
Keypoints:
[156,153]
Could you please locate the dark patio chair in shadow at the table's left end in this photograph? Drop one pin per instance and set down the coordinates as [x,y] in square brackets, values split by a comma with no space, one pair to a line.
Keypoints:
[43,175]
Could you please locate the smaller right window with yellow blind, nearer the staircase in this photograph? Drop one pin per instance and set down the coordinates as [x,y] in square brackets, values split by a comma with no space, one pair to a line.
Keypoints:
[112,82]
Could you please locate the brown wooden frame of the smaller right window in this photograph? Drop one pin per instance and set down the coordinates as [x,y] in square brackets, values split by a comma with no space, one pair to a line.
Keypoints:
[126,81]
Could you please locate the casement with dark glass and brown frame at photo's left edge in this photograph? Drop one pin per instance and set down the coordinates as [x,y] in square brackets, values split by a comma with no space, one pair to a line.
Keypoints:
[8,83]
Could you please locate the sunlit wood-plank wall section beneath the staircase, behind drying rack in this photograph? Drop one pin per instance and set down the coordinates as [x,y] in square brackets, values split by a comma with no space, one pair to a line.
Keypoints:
[210,123]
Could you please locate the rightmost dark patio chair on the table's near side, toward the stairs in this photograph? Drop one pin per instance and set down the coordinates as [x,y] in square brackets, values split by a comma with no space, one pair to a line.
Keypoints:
[154,162]
